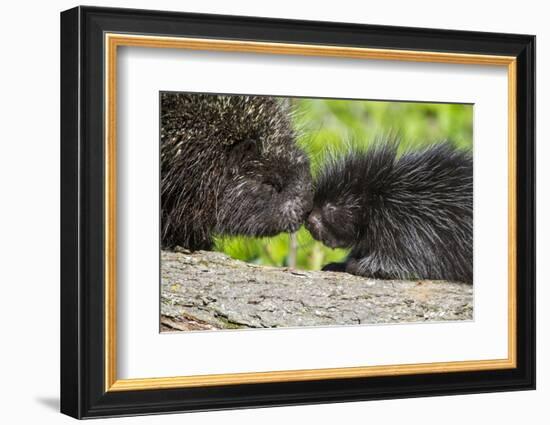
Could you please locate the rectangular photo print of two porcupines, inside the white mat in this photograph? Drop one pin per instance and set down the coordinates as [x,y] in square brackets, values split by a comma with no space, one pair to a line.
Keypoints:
[284,212]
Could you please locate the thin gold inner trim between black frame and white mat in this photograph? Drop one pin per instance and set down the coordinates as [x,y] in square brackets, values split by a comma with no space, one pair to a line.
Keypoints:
[113,41]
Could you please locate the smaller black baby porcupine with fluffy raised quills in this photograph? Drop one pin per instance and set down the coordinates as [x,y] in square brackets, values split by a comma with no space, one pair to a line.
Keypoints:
[403,217]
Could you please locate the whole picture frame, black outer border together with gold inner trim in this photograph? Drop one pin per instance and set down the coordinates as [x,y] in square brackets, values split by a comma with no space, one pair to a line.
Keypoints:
[90,38]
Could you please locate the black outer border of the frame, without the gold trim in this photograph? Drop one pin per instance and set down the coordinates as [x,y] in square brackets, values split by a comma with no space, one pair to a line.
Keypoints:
[82,212]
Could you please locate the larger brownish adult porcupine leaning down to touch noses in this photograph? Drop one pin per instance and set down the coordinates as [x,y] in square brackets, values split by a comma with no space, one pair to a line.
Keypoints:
[229,166]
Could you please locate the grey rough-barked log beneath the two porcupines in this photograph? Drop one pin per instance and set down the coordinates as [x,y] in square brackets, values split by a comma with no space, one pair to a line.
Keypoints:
[208,290]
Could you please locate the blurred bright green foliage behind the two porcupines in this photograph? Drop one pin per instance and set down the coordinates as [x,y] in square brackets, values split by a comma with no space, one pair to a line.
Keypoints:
[327,125]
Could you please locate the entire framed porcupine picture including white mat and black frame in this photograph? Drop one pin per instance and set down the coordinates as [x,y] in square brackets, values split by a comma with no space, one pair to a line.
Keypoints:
[261,212]
